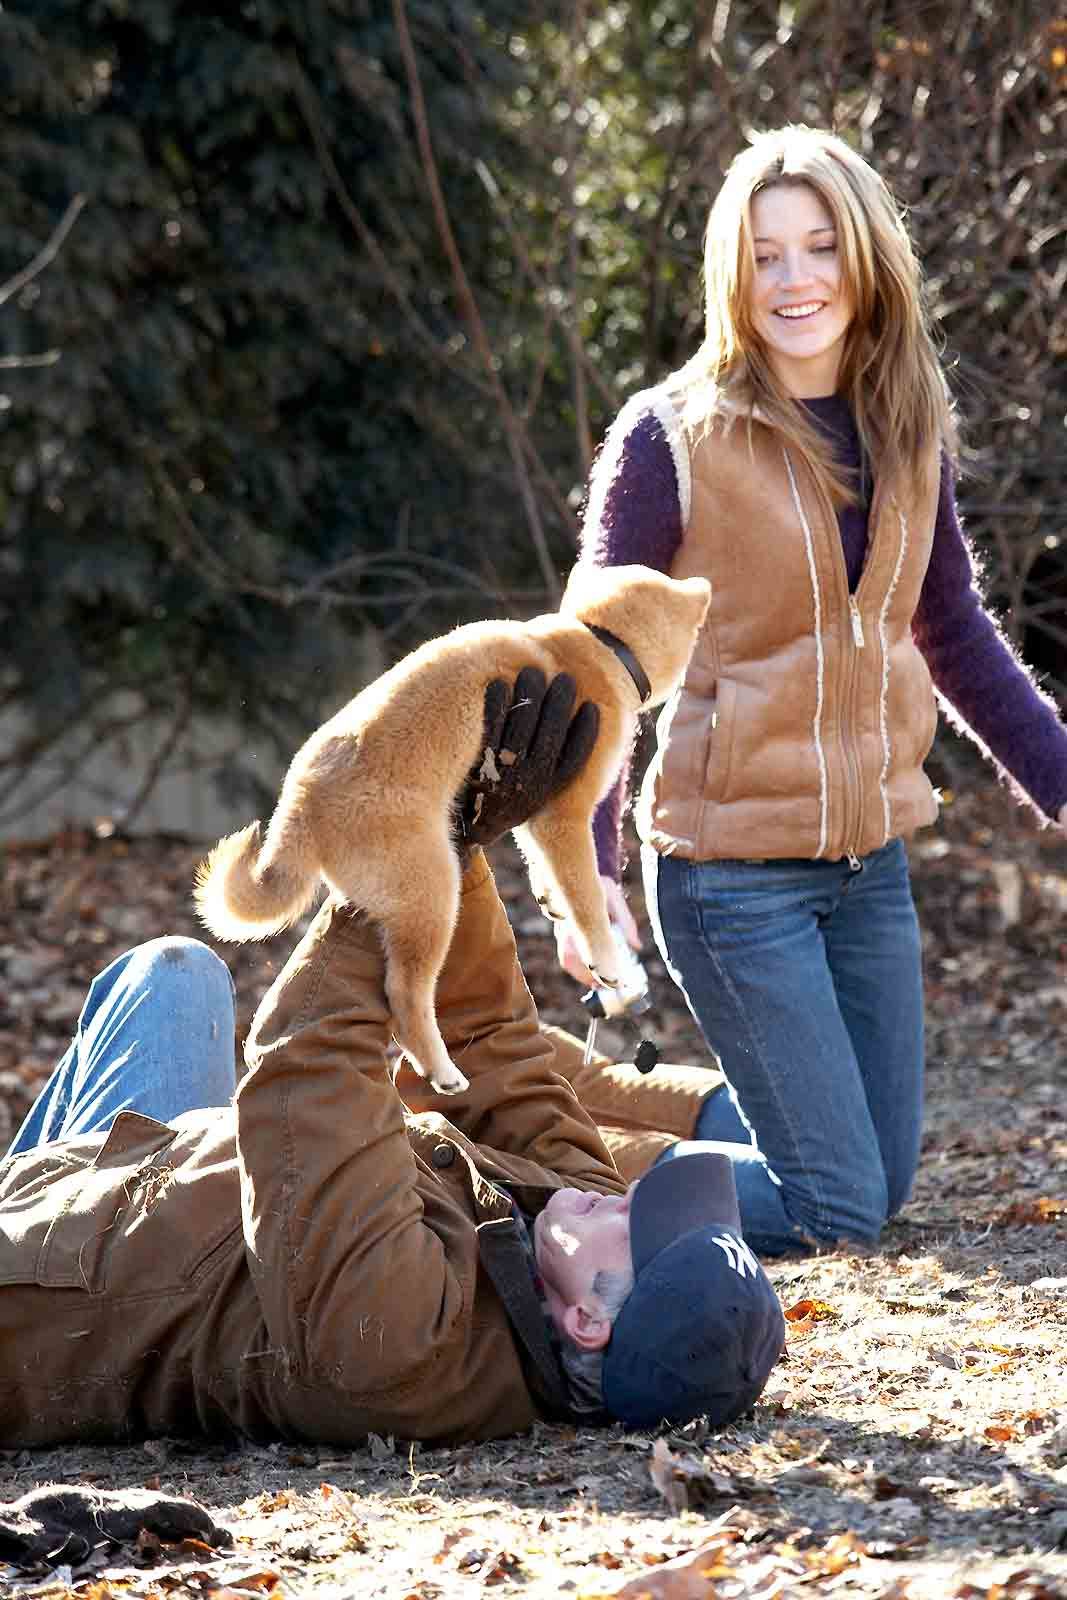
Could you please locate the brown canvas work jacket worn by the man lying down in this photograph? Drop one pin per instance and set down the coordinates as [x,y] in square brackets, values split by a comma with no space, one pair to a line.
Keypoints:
[314,1263]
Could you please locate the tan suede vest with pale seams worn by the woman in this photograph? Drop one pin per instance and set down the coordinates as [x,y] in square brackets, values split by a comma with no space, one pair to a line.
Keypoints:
[805,714]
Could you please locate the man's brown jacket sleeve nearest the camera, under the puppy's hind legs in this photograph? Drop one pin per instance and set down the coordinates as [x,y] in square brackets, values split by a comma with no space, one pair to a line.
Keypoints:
[330,1204]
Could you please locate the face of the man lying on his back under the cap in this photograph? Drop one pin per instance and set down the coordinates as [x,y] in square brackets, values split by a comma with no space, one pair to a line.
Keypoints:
[578,1236]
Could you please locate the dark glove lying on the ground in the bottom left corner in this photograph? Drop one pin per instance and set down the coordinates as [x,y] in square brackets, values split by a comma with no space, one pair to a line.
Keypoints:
[62,1526]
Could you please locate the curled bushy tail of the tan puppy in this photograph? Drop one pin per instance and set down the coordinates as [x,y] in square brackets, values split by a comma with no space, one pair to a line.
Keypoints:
[249,892]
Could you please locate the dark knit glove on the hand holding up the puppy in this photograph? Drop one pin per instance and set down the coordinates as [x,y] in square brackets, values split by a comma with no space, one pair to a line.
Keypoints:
[535,743]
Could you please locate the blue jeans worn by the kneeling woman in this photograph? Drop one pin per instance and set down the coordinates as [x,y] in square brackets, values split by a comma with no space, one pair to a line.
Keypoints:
[805,978]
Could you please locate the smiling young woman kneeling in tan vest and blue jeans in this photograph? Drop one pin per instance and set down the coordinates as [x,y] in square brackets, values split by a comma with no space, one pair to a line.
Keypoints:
[804,463]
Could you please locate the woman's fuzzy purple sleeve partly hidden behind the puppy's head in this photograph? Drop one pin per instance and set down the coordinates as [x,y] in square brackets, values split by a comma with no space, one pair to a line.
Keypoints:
[633,514]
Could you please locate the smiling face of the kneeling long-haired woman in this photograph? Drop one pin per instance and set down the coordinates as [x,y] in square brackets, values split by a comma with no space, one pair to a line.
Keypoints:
[799,300]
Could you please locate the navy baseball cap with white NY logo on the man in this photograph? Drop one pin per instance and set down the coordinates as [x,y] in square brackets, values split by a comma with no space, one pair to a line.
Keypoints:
[701,1329]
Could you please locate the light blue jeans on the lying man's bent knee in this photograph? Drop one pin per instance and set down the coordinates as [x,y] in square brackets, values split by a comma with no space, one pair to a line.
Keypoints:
[156,1036]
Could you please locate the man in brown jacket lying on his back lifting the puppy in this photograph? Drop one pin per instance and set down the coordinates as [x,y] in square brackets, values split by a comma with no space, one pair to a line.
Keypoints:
[306,1258]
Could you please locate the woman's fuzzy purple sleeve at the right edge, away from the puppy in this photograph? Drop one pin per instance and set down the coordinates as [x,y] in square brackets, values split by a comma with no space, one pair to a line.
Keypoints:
[985,689]
